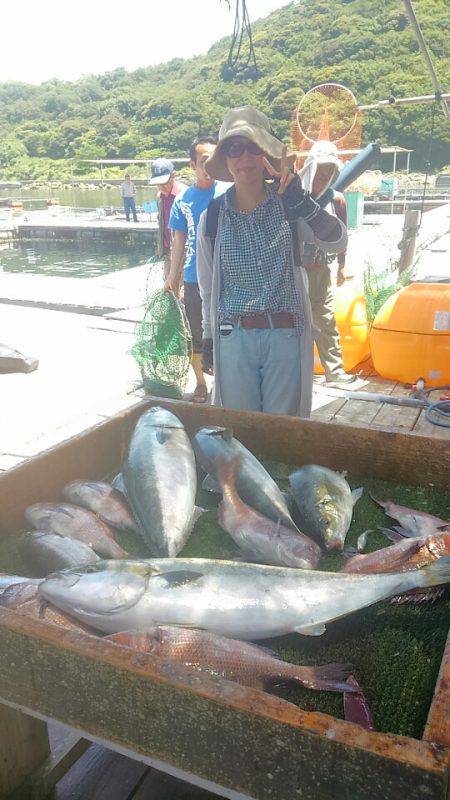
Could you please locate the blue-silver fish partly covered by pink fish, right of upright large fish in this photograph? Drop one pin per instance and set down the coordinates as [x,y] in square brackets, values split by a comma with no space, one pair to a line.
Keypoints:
[254,484]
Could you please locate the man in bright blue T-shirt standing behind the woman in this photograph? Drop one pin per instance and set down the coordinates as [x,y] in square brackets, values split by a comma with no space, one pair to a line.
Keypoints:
[184,219]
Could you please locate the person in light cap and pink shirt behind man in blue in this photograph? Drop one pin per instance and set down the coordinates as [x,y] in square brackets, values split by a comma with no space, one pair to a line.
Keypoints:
[163,176]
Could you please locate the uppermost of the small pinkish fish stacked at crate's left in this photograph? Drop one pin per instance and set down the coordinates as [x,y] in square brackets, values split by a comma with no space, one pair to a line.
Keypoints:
[103,500]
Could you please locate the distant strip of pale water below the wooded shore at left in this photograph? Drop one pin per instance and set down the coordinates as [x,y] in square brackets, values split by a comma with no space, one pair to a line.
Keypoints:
[76,198]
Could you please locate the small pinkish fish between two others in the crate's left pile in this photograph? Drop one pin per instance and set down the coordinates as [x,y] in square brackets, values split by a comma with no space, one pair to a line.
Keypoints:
[76,523]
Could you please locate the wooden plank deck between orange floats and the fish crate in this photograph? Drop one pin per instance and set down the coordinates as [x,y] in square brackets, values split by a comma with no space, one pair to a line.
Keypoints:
[329,405]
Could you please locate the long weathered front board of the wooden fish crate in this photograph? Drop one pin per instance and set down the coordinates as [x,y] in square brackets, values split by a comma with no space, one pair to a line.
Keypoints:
[207,727]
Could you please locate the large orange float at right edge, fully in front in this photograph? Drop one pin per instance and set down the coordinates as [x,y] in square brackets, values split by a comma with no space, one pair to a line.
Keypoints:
[410,336]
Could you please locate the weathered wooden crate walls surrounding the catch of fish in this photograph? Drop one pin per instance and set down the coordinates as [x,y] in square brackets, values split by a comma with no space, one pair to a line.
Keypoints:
[236,741]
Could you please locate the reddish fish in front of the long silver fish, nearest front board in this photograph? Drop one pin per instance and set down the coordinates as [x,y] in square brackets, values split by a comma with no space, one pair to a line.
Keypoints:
[248,664]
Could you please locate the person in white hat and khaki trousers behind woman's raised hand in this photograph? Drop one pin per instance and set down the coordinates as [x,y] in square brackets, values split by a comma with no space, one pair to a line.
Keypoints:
[320,170]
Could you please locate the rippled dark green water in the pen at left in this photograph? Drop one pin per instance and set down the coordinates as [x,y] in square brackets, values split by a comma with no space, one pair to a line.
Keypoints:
[83,260]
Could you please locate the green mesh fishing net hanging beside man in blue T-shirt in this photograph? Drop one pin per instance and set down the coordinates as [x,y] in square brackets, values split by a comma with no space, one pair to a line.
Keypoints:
[163,346]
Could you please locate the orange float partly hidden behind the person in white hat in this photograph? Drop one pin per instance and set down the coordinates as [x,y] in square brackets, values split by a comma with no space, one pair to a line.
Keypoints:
[352,325]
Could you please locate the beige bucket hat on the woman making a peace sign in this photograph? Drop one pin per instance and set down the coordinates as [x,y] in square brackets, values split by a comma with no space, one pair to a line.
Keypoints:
[254,125]
